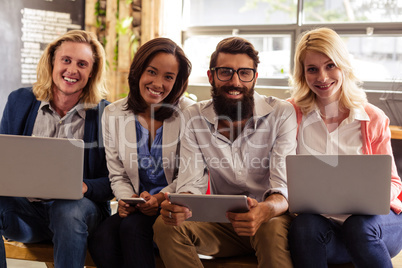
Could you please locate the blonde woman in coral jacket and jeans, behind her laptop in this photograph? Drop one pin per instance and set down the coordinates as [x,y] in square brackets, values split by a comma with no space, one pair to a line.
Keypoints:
[334,117]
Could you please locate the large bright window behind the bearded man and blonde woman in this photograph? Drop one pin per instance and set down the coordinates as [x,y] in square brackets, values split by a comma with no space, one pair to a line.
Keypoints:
[372,30]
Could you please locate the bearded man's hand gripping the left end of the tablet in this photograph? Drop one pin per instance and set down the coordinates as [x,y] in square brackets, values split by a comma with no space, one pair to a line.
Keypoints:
[173,214]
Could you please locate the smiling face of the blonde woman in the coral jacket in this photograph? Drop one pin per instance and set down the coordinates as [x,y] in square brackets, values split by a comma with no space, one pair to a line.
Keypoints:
[323,77]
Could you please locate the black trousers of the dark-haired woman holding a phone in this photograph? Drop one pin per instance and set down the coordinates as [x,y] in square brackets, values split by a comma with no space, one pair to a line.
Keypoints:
[124,242]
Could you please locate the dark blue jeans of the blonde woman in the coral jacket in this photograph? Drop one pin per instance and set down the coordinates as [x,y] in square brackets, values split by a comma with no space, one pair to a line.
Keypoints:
[364,240]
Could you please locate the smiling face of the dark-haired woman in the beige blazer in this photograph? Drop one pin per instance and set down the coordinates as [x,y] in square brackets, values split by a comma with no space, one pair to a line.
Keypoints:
[158,78]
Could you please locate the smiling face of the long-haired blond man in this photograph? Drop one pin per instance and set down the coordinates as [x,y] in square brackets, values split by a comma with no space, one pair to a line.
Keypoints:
[72,68]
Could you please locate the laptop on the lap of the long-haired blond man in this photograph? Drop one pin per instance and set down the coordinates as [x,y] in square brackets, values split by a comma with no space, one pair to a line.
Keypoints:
[37,167]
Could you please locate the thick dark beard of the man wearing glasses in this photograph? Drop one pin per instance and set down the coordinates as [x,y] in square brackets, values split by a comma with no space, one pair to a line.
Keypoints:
[235,110]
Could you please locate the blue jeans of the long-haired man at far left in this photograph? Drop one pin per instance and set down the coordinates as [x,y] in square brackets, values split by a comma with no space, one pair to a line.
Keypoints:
[67,223]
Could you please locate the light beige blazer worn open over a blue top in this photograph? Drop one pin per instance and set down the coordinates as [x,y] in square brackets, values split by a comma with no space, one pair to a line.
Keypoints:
[119,134]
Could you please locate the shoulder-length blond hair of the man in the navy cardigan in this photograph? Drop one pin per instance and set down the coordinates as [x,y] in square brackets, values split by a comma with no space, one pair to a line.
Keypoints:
[95,90]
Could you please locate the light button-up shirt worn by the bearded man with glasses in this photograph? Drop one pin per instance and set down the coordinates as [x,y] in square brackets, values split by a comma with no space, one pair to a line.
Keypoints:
[253,164]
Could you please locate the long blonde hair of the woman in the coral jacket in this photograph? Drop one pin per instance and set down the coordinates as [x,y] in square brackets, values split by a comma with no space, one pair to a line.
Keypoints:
[329,43]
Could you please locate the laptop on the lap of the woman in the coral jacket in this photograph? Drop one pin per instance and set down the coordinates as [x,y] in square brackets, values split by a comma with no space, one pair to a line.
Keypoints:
[339,184]
